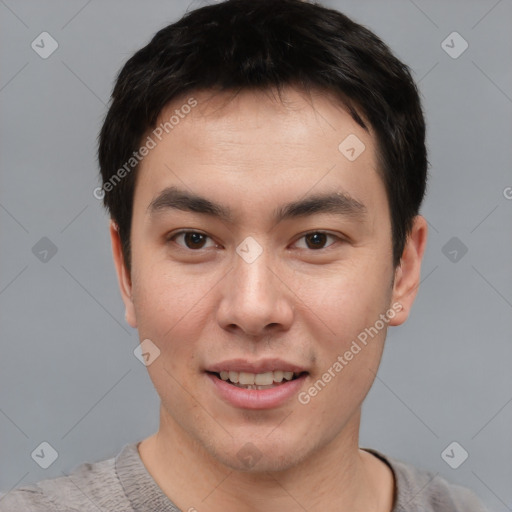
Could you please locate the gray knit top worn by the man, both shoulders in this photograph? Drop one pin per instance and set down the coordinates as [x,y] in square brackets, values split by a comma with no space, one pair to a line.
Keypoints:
[122,484]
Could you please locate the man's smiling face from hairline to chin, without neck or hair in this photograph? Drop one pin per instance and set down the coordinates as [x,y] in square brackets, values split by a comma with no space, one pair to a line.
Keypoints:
[262,253]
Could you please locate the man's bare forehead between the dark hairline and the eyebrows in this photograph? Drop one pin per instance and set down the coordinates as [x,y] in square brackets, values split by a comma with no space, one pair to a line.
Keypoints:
[255,146]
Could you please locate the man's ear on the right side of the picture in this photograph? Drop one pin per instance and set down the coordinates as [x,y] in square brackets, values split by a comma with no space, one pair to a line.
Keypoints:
[408,272]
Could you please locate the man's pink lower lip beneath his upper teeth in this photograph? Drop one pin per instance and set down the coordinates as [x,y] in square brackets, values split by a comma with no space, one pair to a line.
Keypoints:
[257,398]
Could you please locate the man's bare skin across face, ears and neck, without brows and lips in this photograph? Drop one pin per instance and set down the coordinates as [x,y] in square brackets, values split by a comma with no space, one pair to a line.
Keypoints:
[253,154]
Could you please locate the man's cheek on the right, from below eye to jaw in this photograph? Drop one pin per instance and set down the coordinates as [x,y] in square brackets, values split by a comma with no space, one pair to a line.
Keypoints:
[347,307]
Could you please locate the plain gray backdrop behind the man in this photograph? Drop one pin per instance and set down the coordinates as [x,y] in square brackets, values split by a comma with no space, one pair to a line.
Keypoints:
[68,374]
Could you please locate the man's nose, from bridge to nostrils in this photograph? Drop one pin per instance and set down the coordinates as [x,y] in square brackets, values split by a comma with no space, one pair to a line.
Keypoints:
[255,299]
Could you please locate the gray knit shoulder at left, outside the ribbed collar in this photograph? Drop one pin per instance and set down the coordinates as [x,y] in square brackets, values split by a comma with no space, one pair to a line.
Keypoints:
[89,487]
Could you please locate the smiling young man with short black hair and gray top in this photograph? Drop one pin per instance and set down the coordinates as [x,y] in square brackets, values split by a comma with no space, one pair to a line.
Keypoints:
[263,163]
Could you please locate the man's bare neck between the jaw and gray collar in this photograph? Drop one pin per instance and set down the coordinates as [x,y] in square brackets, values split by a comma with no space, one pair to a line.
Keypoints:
[337,477]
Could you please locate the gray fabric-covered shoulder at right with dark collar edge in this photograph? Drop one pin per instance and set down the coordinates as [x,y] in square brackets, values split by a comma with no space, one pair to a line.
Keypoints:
[424,491]
